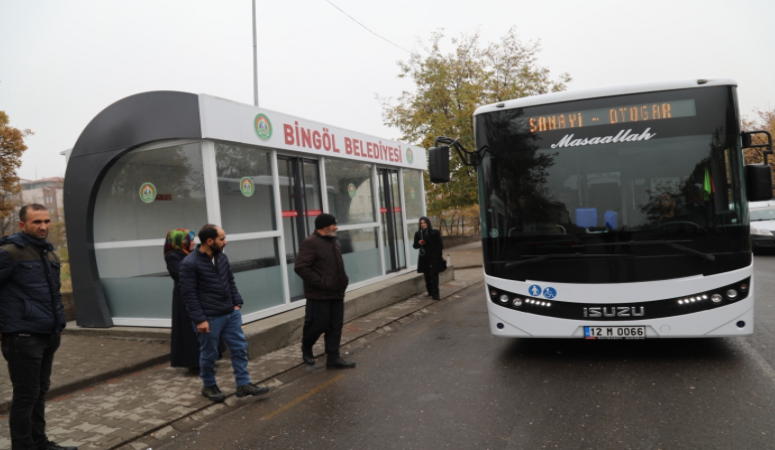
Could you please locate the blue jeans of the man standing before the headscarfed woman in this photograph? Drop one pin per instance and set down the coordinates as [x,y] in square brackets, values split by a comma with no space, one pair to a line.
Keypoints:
[229,328]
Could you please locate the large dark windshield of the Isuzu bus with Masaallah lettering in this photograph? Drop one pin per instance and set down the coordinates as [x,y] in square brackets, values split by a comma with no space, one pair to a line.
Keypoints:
[617,189]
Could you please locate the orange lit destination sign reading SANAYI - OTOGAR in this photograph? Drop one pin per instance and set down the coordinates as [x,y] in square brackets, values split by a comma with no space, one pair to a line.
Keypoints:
[613,115]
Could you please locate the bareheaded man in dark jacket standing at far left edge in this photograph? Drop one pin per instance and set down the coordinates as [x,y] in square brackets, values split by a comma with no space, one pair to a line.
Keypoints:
[31,320]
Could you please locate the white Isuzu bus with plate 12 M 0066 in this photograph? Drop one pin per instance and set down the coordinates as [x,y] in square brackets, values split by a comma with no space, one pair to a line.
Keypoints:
[617,213]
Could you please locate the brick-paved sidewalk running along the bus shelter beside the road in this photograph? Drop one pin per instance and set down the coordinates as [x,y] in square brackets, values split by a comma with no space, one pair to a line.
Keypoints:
[148,395]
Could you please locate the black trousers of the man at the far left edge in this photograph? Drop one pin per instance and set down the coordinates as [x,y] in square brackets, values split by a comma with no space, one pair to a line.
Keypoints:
[30,357]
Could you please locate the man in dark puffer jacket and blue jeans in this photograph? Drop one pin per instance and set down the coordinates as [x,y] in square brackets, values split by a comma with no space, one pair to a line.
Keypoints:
[212,301]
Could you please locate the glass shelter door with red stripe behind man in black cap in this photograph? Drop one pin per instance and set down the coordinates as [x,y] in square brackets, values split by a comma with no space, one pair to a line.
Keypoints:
[301,202]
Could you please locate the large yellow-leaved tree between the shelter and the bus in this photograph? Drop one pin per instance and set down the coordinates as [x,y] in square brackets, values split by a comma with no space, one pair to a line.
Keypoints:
[448,89]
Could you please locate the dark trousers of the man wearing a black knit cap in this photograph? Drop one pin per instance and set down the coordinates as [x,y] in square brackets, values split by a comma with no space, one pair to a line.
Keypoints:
[324,316]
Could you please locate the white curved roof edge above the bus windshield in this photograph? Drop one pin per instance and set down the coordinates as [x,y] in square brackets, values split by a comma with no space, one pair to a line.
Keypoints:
[607,91]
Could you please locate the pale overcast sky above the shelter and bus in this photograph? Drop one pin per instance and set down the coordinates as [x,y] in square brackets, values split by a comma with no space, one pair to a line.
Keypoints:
[64,61]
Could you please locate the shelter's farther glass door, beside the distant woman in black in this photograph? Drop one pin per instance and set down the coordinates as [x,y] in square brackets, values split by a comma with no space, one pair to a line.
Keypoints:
[392,222]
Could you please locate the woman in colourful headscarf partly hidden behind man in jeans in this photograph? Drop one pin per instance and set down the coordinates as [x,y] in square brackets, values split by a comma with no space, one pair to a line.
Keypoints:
[184,346]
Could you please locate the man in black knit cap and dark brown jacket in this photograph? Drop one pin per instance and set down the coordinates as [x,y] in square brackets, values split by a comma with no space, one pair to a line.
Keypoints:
[319,264]
